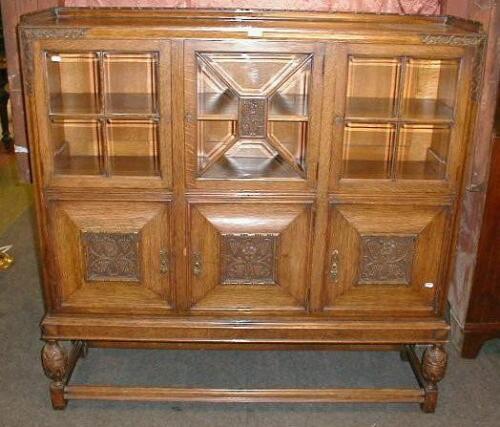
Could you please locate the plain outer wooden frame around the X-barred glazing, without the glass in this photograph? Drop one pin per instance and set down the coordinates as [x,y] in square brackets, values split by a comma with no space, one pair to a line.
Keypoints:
[191,47]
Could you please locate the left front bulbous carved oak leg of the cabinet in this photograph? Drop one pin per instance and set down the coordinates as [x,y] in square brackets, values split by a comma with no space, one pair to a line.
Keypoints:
[55,364]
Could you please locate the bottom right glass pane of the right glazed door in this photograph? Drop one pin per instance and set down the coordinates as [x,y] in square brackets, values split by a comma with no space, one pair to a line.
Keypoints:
[423,152]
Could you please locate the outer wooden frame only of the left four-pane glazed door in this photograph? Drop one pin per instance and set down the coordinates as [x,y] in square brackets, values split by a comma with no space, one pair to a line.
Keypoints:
[164,79]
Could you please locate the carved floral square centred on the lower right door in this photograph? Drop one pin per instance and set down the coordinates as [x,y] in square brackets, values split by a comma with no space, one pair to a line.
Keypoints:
[386,259]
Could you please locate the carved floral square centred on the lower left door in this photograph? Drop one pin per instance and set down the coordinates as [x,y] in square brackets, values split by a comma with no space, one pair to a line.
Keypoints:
[111,256]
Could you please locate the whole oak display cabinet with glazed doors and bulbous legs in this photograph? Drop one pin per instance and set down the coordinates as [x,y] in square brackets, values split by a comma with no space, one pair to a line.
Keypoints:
[216,179]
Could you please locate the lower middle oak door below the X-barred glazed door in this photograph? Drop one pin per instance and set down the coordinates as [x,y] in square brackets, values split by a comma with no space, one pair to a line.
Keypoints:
[249,257]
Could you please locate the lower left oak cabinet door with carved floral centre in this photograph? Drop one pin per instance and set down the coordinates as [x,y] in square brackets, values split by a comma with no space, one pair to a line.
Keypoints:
[112,257]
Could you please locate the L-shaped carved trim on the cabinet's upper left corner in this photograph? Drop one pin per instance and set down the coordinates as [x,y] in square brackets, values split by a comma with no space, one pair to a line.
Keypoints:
[30,35]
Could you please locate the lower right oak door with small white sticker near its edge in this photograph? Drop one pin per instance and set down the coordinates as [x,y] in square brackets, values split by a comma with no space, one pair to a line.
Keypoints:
[385,259]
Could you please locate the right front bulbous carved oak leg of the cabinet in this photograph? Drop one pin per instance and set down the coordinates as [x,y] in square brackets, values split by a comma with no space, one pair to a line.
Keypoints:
[434,362]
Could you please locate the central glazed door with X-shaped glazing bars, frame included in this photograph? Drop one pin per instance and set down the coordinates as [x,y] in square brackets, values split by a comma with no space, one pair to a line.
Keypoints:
[252,114]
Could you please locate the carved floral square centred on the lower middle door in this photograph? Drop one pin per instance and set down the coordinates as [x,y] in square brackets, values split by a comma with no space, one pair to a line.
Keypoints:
[248,258]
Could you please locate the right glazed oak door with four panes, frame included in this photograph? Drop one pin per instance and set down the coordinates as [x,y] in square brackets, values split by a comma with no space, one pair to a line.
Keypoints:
[400,118]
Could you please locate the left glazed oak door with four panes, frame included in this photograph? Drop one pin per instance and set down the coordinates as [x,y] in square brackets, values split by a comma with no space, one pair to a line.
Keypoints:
[104,112]
